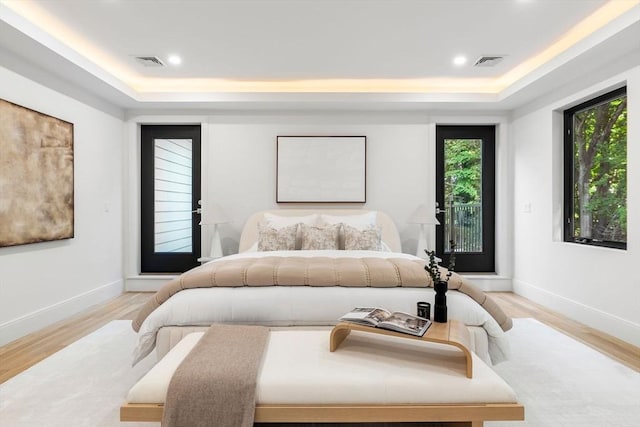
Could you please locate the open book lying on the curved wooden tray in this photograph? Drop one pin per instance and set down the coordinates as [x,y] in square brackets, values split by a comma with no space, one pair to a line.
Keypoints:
[384,319]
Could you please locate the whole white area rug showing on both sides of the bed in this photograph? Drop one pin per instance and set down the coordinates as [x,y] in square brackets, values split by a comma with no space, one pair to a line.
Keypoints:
[561,382]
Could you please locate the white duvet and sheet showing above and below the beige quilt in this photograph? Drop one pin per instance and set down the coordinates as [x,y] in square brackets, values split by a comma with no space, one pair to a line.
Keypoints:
[304,305]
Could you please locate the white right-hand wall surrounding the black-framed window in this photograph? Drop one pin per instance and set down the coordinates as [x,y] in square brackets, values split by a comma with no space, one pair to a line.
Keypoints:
[596,286]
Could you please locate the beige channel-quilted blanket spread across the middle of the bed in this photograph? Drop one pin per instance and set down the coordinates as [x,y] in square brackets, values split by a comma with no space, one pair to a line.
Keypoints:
[315,271]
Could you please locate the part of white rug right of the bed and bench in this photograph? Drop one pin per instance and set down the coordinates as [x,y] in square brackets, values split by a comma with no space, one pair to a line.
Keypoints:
[564,383]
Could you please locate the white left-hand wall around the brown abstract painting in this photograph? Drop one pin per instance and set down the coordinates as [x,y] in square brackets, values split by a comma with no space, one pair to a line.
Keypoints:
[44,282]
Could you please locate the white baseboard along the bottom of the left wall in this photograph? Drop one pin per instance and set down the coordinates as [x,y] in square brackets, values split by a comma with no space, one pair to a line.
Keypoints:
[24,325]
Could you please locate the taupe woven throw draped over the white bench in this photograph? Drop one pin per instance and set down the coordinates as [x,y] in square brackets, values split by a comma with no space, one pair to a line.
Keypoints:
[215,384]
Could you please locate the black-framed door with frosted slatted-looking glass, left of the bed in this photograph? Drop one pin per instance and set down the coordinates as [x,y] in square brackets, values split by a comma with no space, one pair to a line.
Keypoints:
[170,196]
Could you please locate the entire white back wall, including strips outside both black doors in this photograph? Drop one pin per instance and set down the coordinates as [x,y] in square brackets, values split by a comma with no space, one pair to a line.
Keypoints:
[239,172]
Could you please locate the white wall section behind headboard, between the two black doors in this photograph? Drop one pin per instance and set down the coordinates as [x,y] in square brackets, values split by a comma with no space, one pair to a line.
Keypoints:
[242,165]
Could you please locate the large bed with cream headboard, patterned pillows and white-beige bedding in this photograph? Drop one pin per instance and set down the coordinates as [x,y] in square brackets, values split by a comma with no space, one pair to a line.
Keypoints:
[190,302]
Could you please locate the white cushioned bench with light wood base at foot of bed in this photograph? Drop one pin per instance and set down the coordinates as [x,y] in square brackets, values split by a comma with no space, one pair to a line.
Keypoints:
[385,380]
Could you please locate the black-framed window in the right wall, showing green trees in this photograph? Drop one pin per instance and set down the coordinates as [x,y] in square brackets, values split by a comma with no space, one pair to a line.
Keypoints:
[595,171]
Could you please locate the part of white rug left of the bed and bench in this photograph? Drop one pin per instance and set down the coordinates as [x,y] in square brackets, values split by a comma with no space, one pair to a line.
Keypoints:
[82,385]
